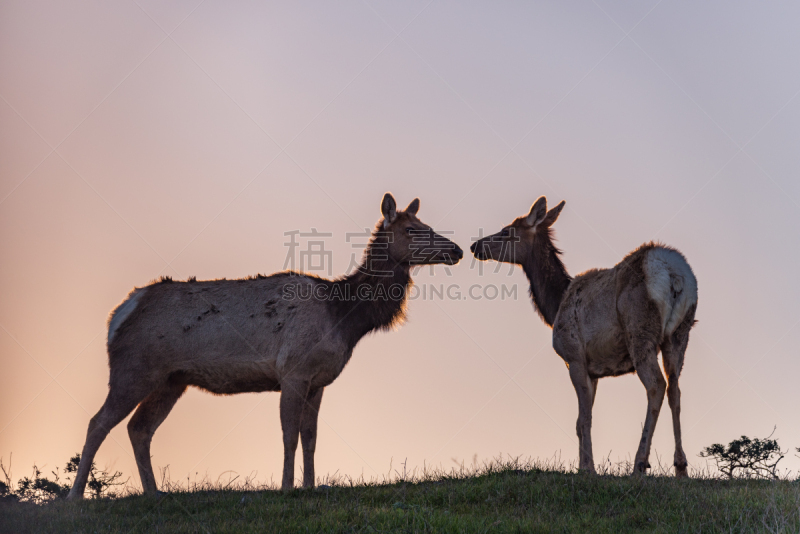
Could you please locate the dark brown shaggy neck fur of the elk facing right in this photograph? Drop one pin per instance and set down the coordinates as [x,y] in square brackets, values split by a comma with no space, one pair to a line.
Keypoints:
[377,291]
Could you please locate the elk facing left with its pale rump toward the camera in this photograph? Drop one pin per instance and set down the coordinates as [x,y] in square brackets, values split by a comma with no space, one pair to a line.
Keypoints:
[607,322]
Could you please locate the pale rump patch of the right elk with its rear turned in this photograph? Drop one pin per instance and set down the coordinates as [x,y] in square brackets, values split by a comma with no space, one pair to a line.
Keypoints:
[671,284]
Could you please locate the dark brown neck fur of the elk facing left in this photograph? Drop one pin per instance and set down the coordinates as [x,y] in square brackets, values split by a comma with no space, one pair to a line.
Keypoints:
[548,276]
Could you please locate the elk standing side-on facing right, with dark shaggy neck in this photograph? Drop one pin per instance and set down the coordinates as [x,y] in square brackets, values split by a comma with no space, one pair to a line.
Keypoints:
[288,332]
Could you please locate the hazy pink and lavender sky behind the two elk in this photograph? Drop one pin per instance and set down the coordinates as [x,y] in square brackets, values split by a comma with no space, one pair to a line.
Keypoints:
[140,139]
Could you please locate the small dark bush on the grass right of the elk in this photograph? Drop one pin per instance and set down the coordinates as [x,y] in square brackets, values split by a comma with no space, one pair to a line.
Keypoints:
[747,458]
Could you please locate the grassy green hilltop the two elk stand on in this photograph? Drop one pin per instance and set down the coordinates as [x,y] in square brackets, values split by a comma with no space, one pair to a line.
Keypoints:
[500,497]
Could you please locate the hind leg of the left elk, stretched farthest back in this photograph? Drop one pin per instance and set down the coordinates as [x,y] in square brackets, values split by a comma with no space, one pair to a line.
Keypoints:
[116,407]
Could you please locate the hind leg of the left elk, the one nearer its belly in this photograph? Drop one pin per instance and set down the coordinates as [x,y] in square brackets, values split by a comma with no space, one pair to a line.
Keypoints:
[147,418]
